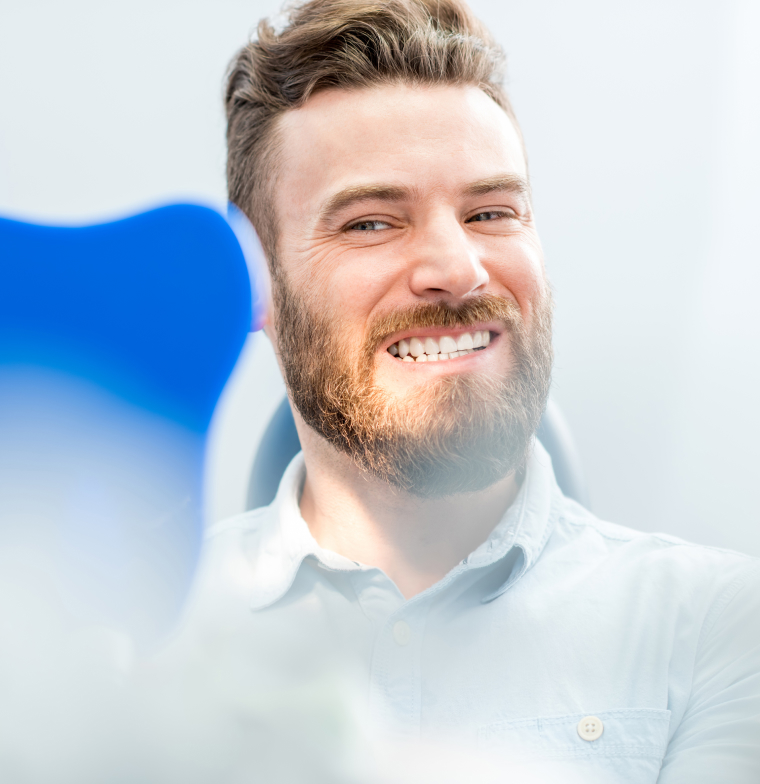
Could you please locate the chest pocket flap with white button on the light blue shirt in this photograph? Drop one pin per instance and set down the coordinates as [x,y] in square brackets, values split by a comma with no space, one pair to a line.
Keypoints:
[613,735]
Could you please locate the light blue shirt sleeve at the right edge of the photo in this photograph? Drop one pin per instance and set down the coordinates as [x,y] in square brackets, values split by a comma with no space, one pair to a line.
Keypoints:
[718,738]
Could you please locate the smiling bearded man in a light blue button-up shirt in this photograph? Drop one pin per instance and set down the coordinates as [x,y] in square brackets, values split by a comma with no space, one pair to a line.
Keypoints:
[419,548]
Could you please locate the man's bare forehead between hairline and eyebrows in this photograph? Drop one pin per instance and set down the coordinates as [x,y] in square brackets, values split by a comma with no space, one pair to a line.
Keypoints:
[427,138]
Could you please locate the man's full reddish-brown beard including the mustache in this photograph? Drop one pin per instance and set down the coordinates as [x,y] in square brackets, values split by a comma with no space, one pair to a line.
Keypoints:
[457,434]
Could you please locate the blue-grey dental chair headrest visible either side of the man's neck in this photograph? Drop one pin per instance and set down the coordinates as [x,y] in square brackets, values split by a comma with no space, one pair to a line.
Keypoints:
[280,444]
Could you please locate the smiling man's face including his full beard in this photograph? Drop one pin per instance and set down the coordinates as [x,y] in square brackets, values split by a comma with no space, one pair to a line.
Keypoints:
[405,220]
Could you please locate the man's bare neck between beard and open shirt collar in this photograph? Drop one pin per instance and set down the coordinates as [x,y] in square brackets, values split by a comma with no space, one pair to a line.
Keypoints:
[414,541]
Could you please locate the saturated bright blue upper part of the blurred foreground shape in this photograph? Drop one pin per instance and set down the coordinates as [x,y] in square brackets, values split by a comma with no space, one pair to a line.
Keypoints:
[154,308]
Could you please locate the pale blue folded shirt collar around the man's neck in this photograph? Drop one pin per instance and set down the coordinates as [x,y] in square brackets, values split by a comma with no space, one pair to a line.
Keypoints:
[284,540]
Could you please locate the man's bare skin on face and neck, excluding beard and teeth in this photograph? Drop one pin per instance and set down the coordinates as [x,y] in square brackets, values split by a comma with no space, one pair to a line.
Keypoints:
[448,217]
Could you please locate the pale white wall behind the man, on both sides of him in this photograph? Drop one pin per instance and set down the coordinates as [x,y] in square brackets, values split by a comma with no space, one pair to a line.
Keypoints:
[642,123]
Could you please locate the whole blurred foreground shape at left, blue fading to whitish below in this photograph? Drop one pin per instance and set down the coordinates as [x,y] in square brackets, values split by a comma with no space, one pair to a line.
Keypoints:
[116,341]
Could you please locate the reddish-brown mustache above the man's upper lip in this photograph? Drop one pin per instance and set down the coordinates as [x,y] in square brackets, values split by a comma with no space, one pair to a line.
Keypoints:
[484,307]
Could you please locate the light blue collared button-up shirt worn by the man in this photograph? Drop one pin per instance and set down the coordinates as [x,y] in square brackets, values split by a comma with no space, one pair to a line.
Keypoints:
[561,641]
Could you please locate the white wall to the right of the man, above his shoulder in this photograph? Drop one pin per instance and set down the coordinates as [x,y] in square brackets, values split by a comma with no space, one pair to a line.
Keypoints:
[642,122]
